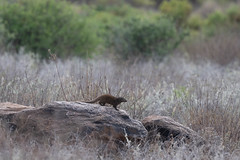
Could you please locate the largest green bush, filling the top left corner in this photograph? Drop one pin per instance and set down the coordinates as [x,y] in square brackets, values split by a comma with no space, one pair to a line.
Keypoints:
[42,24]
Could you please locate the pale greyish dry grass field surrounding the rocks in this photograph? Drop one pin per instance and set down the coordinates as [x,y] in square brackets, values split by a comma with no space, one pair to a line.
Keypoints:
[203,96]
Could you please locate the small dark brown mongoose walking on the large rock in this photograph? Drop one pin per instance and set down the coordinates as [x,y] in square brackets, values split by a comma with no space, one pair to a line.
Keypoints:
[109,99]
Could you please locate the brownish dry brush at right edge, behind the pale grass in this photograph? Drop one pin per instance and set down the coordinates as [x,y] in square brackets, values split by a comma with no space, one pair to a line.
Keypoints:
[222,48]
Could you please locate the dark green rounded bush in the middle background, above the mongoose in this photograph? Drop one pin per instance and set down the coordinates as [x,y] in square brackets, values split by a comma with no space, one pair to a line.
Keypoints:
[144,38]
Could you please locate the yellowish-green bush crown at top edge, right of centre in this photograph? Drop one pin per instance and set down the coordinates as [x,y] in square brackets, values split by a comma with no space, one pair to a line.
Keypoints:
[179,10]
